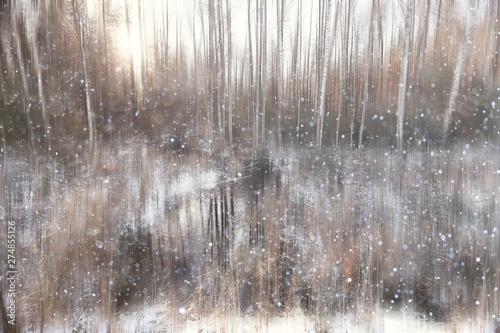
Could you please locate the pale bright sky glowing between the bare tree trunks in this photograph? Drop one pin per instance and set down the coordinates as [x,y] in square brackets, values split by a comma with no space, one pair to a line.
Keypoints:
[183,25]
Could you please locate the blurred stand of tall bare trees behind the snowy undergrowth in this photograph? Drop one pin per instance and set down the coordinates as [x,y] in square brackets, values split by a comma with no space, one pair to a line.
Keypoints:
[340,72]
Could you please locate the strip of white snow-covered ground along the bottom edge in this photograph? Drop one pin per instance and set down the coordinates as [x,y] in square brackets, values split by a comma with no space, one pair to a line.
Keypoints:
[159,319]
